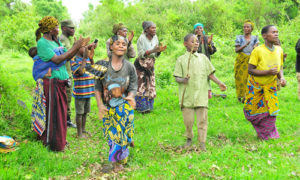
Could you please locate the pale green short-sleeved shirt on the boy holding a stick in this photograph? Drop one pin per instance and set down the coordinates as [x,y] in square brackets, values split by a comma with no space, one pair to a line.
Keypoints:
[196,93]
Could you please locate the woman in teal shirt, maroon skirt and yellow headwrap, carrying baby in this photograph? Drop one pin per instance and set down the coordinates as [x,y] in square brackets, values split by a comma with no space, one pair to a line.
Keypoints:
[53,88]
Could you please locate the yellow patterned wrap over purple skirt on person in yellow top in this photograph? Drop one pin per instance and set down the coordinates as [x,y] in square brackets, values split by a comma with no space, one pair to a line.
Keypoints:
[261,108]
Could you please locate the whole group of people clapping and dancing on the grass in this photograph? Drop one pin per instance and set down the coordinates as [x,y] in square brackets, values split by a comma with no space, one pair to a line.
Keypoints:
[121,87]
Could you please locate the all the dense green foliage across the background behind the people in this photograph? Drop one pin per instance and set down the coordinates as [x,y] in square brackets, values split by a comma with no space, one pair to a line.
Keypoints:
[174,19]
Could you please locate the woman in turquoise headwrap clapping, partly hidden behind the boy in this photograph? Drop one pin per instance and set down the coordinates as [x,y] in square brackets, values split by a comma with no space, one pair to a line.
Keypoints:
[206,45]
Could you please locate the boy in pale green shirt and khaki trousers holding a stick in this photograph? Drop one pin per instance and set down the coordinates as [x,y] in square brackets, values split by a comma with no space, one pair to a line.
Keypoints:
[191,72]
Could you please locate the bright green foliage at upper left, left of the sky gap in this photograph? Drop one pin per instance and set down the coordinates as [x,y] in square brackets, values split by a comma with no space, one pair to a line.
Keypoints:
[19,21]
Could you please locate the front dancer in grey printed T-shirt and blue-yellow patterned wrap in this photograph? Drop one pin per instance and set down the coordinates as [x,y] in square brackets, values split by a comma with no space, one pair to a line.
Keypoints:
[115,99]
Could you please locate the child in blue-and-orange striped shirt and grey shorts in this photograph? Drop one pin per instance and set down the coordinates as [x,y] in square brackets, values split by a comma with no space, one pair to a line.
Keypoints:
[83,88]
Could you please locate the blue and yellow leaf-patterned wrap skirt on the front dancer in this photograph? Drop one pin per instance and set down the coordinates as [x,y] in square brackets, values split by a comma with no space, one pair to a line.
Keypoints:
[118,127]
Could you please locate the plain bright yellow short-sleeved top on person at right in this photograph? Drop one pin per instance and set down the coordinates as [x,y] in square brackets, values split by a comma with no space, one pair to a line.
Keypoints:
[265,59]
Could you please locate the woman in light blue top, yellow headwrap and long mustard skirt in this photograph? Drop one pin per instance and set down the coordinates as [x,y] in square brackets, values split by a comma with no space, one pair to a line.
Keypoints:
[244,45]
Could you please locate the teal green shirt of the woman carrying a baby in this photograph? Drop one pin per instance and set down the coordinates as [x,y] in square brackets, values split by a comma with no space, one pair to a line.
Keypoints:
[45,52]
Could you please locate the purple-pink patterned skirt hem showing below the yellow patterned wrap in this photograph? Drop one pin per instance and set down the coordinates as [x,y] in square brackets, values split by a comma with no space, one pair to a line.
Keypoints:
[264,125]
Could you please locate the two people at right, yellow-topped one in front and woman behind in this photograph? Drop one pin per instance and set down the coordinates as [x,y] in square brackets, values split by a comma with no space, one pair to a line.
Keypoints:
[258,76]
